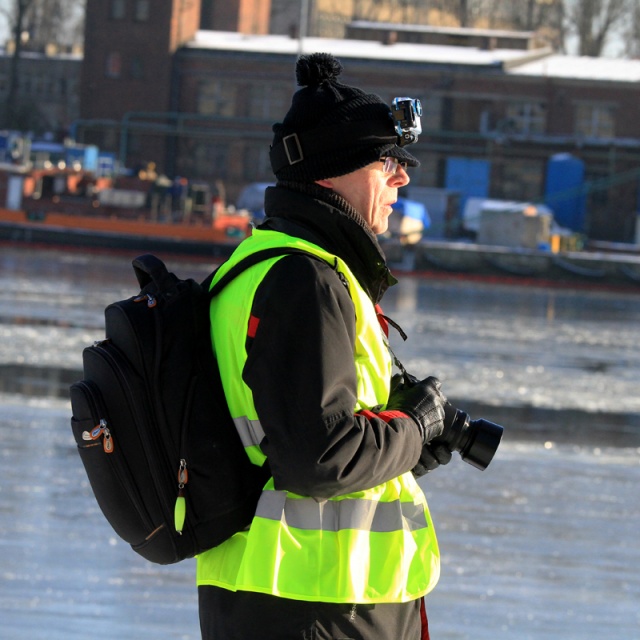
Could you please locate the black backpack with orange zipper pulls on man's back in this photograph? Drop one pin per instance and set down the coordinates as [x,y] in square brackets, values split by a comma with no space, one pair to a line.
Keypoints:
[151,422]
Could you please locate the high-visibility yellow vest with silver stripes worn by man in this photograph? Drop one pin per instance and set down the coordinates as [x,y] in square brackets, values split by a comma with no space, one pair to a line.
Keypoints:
[372,546]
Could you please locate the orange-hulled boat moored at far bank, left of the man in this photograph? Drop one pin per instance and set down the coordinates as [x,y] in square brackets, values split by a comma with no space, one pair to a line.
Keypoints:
[74,209]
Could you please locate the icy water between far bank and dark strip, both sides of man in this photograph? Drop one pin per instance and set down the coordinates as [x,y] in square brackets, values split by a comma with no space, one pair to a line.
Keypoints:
[498,345]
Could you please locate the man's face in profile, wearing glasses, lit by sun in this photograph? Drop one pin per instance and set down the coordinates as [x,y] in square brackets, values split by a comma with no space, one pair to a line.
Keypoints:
[371,192]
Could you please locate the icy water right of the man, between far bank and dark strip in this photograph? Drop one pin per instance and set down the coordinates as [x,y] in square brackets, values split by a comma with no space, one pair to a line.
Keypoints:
[539,347]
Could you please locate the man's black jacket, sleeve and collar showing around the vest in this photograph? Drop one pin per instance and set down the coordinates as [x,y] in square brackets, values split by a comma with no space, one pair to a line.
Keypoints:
[300,364]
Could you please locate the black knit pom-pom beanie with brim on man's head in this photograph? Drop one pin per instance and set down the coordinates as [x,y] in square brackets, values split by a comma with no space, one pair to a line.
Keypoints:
[331,128]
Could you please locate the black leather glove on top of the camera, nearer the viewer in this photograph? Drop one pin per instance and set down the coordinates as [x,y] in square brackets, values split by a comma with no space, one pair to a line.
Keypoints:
[422,400]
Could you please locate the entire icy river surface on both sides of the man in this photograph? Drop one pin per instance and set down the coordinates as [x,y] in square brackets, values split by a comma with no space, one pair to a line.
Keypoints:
[542,544]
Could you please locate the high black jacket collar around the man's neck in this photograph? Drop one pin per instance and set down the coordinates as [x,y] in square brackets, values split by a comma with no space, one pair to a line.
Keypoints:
[319,215]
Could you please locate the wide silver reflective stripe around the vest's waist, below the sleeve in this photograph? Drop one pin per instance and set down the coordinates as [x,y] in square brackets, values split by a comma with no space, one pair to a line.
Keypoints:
[335,515]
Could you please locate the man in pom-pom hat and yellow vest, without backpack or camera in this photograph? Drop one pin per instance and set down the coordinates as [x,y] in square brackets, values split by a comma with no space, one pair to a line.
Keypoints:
[342,544]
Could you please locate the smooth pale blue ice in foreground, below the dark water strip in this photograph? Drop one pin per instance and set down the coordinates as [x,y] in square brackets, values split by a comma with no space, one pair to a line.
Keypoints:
[542,544]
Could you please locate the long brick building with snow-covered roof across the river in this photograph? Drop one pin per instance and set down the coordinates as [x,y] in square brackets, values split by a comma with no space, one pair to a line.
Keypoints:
[201,103]
